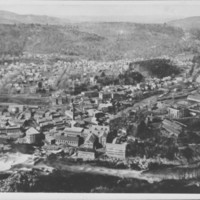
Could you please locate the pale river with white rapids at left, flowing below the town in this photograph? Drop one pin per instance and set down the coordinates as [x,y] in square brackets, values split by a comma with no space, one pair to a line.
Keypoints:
[26,163]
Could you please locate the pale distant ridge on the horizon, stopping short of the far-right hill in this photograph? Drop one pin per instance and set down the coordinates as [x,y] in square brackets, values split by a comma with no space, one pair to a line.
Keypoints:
[7,17]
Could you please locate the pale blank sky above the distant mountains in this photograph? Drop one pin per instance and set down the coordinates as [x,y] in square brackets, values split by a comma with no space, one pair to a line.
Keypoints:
[119,10]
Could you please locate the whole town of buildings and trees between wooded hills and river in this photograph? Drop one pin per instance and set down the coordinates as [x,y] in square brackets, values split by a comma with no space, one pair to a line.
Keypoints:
[90,111]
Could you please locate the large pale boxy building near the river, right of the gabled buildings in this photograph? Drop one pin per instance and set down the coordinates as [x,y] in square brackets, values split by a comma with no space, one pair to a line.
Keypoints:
[116,150]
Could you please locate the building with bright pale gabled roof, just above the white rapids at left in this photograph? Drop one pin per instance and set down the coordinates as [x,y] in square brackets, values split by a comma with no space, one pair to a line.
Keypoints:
[33,136]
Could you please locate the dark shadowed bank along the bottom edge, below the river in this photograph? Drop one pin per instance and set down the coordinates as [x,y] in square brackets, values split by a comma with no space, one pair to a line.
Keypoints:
[65,181]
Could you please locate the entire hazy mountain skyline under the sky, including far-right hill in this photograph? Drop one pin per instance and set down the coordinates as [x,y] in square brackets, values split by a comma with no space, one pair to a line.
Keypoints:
[7,17]
